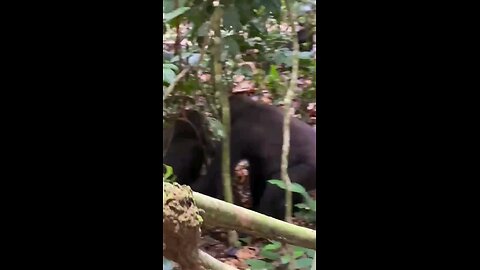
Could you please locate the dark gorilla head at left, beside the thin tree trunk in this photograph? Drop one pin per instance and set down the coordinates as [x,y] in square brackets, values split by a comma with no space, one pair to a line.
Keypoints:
[187,146]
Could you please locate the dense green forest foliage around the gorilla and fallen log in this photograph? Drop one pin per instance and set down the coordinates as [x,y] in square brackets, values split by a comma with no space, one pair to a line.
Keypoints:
[256,58]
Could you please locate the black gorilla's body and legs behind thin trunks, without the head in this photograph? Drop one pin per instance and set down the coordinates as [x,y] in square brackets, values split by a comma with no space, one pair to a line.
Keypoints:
[256,135]
